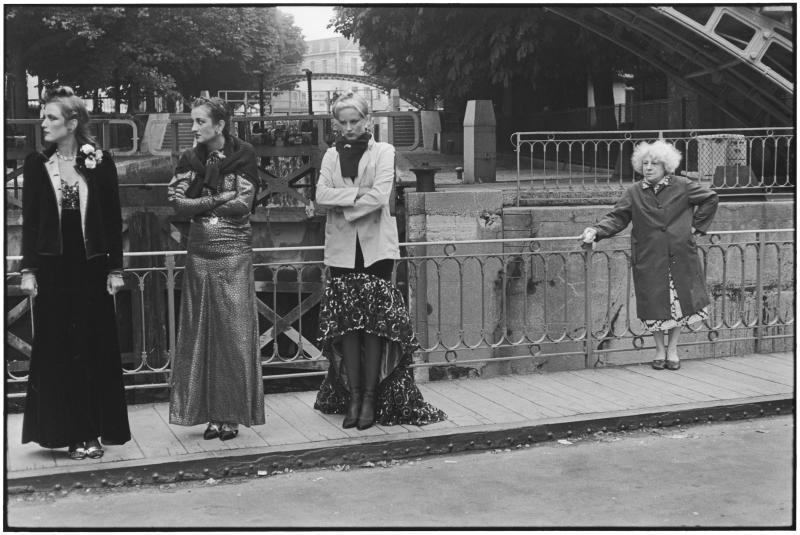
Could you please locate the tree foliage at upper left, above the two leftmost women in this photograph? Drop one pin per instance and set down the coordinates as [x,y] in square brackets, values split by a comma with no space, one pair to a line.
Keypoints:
[154,49]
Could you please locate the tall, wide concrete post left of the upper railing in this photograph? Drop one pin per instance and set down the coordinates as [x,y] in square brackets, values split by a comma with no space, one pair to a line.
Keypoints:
[480,143]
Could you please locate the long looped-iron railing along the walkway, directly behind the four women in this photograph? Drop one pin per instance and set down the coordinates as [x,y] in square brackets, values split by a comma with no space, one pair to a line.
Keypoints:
[472,303]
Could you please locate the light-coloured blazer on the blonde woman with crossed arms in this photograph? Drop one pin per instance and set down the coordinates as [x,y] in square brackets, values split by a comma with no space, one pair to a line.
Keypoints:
[367,218]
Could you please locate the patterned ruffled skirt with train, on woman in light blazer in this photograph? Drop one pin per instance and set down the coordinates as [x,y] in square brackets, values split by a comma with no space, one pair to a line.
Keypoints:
[360,301]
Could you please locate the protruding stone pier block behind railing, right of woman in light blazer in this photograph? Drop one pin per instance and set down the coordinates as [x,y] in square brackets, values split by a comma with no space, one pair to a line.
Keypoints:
[451,295]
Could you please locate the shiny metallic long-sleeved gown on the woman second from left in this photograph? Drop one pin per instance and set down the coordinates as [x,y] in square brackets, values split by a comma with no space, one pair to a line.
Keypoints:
[216,372]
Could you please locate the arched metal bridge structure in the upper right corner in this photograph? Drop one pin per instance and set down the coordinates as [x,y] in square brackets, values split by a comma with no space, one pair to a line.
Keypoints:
[739,59]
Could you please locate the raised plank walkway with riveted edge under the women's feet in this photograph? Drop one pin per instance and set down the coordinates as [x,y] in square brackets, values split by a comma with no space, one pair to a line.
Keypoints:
[483,413]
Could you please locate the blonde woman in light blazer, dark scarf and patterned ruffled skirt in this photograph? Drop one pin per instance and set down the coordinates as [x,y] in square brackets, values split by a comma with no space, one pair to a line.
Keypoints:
[365,329]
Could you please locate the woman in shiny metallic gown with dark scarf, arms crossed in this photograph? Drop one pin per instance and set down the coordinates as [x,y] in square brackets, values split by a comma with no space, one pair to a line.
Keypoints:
[216,373]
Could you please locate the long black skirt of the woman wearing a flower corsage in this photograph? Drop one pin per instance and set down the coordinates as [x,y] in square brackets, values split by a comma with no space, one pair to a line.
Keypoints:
[75,387]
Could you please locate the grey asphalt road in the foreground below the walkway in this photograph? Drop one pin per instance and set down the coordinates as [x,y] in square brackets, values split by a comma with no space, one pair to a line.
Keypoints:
[735,474]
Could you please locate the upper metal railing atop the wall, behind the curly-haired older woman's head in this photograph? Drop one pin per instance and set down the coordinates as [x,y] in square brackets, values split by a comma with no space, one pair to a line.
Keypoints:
[750,160]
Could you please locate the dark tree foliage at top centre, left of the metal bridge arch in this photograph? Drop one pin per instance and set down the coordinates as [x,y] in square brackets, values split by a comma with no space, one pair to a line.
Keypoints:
[465,52]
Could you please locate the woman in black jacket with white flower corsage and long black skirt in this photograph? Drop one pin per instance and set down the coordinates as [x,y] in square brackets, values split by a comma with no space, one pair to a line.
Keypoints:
[72,266]
